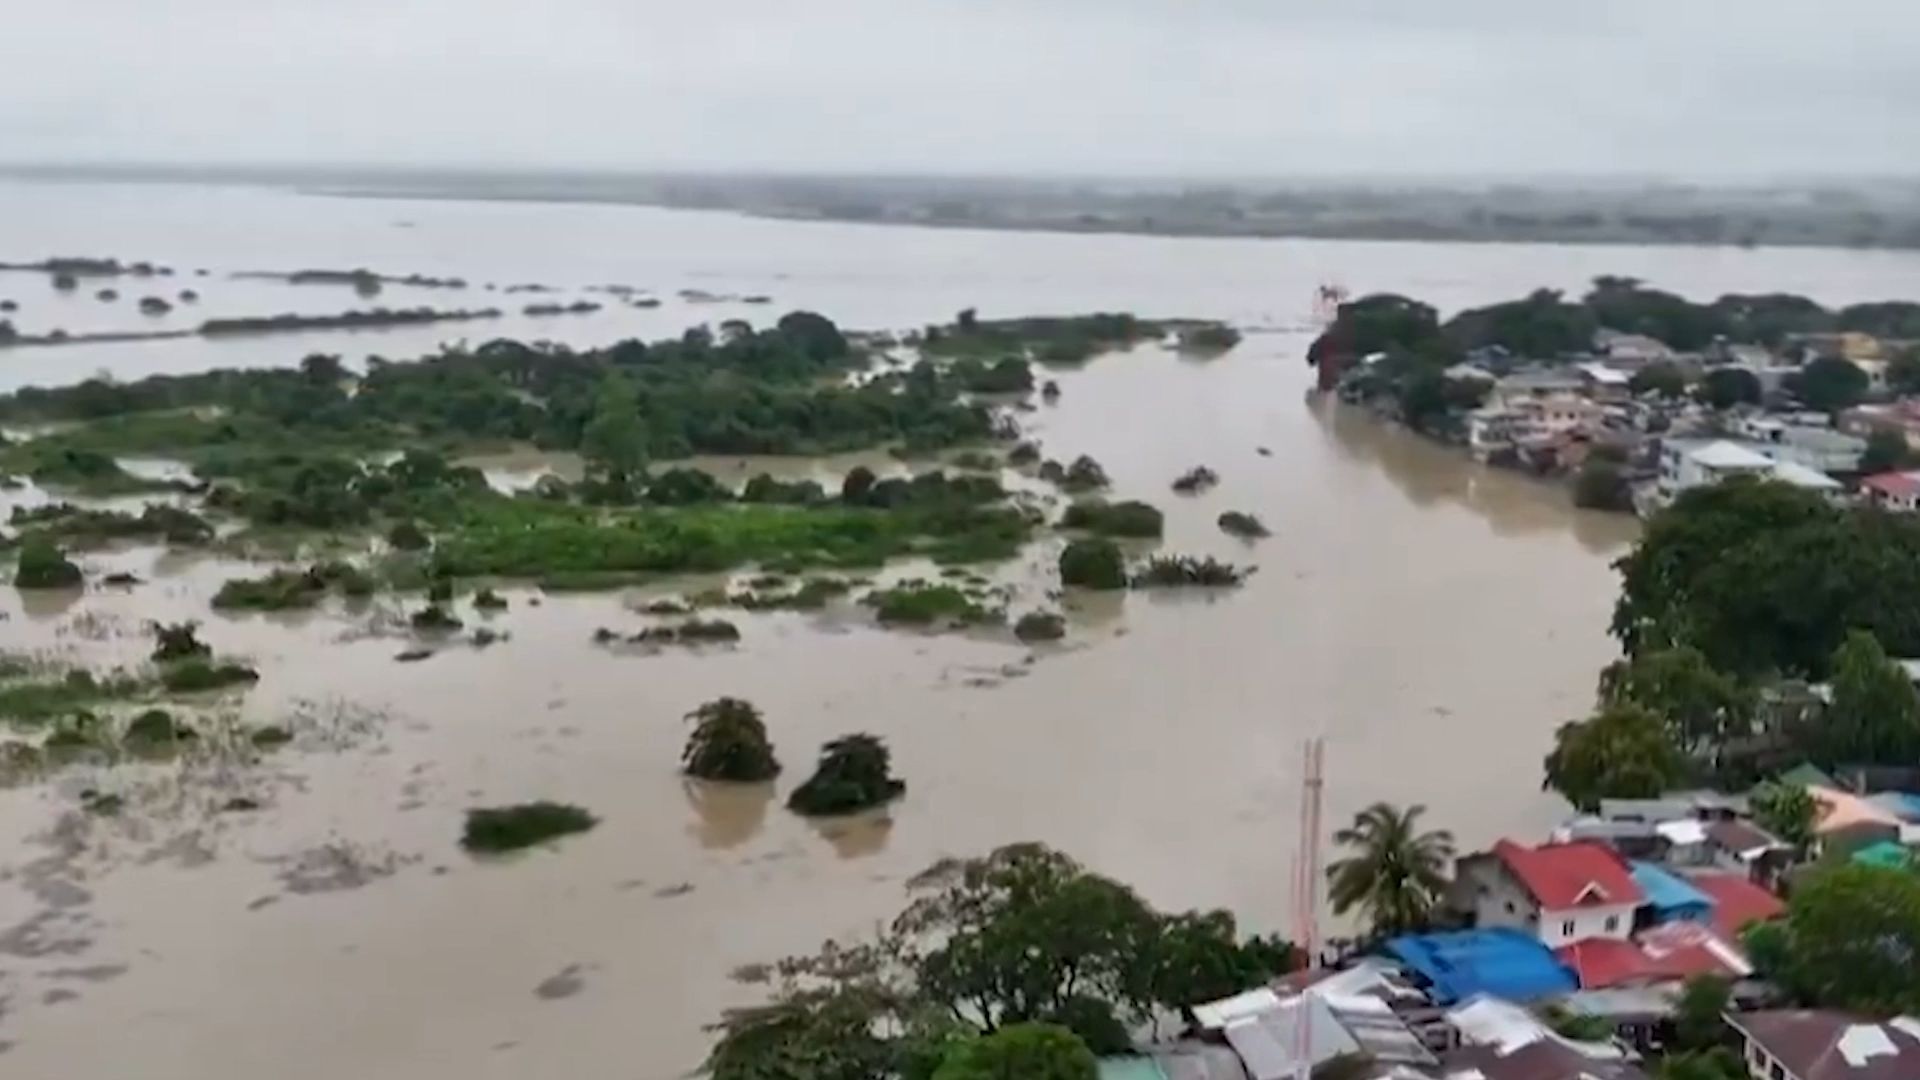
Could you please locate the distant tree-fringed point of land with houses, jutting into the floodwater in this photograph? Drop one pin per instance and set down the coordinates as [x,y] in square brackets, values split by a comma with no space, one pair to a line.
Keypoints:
[1641,420]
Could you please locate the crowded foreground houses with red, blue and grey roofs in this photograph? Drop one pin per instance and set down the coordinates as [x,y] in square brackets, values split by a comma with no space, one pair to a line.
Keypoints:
[1604,923]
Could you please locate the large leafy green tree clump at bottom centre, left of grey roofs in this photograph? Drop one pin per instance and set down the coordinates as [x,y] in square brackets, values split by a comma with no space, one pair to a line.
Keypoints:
[992,946]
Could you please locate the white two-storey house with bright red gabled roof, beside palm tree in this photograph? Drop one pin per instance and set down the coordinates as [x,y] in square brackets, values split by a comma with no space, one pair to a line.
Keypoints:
[1560,893]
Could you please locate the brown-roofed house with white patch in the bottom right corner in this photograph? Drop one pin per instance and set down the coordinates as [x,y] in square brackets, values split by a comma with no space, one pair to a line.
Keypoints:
[1817,1044]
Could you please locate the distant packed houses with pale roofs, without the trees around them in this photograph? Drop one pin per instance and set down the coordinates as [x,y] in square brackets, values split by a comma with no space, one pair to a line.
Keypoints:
[1548,418]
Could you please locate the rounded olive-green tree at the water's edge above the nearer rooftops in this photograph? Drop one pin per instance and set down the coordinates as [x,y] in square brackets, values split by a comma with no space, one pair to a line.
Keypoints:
[1620,754]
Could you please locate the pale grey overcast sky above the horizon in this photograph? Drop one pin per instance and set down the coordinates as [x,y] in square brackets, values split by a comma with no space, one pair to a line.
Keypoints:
[1191,87]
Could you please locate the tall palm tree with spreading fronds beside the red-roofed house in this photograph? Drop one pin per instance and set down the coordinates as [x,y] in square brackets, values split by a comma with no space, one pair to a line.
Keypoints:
[1397,873]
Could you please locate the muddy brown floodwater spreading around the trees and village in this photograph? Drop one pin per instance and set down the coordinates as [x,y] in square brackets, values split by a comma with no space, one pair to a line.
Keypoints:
[1431,620]
